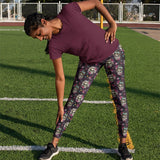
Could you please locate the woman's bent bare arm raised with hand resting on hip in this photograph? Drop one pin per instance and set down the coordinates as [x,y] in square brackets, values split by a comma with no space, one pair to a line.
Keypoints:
[91,4]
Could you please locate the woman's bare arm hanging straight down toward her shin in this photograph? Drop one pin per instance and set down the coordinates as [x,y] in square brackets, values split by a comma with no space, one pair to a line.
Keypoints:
[60,84]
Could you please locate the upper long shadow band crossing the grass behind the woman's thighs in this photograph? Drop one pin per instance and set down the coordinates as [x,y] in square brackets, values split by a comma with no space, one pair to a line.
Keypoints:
[95,83]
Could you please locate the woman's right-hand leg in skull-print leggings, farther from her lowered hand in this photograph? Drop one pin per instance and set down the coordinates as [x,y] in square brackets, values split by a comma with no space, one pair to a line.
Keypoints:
[114,67]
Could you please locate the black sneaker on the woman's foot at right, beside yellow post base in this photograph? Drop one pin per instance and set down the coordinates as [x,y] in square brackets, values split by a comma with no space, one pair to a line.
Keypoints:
[124,153]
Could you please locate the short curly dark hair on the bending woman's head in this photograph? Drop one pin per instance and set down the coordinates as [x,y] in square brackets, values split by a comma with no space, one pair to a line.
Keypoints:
[32,22]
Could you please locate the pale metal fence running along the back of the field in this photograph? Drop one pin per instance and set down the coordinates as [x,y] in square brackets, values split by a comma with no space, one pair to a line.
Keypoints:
[121,12]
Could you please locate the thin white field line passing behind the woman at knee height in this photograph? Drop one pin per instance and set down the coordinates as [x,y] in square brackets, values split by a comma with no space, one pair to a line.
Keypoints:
[50,99]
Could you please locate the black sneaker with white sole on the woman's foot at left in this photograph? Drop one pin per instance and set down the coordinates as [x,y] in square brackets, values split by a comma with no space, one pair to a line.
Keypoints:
[49,152]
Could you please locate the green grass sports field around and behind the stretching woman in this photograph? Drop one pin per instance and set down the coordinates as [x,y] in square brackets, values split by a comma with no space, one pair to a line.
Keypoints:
[26,72]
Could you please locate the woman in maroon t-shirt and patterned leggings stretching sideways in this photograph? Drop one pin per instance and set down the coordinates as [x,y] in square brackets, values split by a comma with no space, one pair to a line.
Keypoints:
[71,32]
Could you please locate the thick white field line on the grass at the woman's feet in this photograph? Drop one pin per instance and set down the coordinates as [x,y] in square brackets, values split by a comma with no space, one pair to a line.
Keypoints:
[61,149]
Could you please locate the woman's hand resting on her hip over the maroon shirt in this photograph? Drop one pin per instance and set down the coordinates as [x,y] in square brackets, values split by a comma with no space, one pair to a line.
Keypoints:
[111,33]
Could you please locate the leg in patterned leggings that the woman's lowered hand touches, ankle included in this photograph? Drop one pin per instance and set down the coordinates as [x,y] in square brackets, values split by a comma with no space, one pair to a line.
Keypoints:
[86,73]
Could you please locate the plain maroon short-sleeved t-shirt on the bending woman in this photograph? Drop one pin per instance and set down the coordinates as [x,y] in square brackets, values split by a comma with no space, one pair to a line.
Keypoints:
[80,37]
